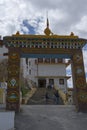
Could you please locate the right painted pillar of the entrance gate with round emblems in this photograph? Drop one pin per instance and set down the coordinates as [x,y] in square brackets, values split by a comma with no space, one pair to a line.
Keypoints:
[79,81]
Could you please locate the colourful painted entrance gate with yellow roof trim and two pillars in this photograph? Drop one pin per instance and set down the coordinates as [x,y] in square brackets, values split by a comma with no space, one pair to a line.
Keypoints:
[51,46]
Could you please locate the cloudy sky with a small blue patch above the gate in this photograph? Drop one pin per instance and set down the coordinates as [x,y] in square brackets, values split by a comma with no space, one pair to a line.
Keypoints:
[29,17]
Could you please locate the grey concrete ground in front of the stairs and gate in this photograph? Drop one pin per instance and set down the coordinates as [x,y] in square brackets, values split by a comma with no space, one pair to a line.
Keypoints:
[50,117]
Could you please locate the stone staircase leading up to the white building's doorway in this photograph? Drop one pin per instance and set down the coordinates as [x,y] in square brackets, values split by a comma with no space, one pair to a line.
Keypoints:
[39,97]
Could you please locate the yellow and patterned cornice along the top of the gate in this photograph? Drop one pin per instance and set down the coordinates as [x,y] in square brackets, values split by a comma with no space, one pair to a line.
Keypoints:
[44,42]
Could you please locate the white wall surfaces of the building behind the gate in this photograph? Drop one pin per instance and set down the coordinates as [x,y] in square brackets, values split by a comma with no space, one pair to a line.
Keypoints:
[47,70]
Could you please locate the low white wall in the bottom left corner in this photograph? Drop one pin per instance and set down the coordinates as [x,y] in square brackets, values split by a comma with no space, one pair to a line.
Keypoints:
[7,120]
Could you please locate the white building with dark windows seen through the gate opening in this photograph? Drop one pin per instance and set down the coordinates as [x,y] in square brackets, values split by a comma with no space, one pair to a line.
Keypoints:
[47,71]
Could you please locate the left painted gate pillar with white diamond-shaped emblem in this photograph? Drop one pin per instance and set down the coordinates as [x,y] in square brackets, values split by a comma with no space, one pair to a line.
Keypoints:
[13,89]
